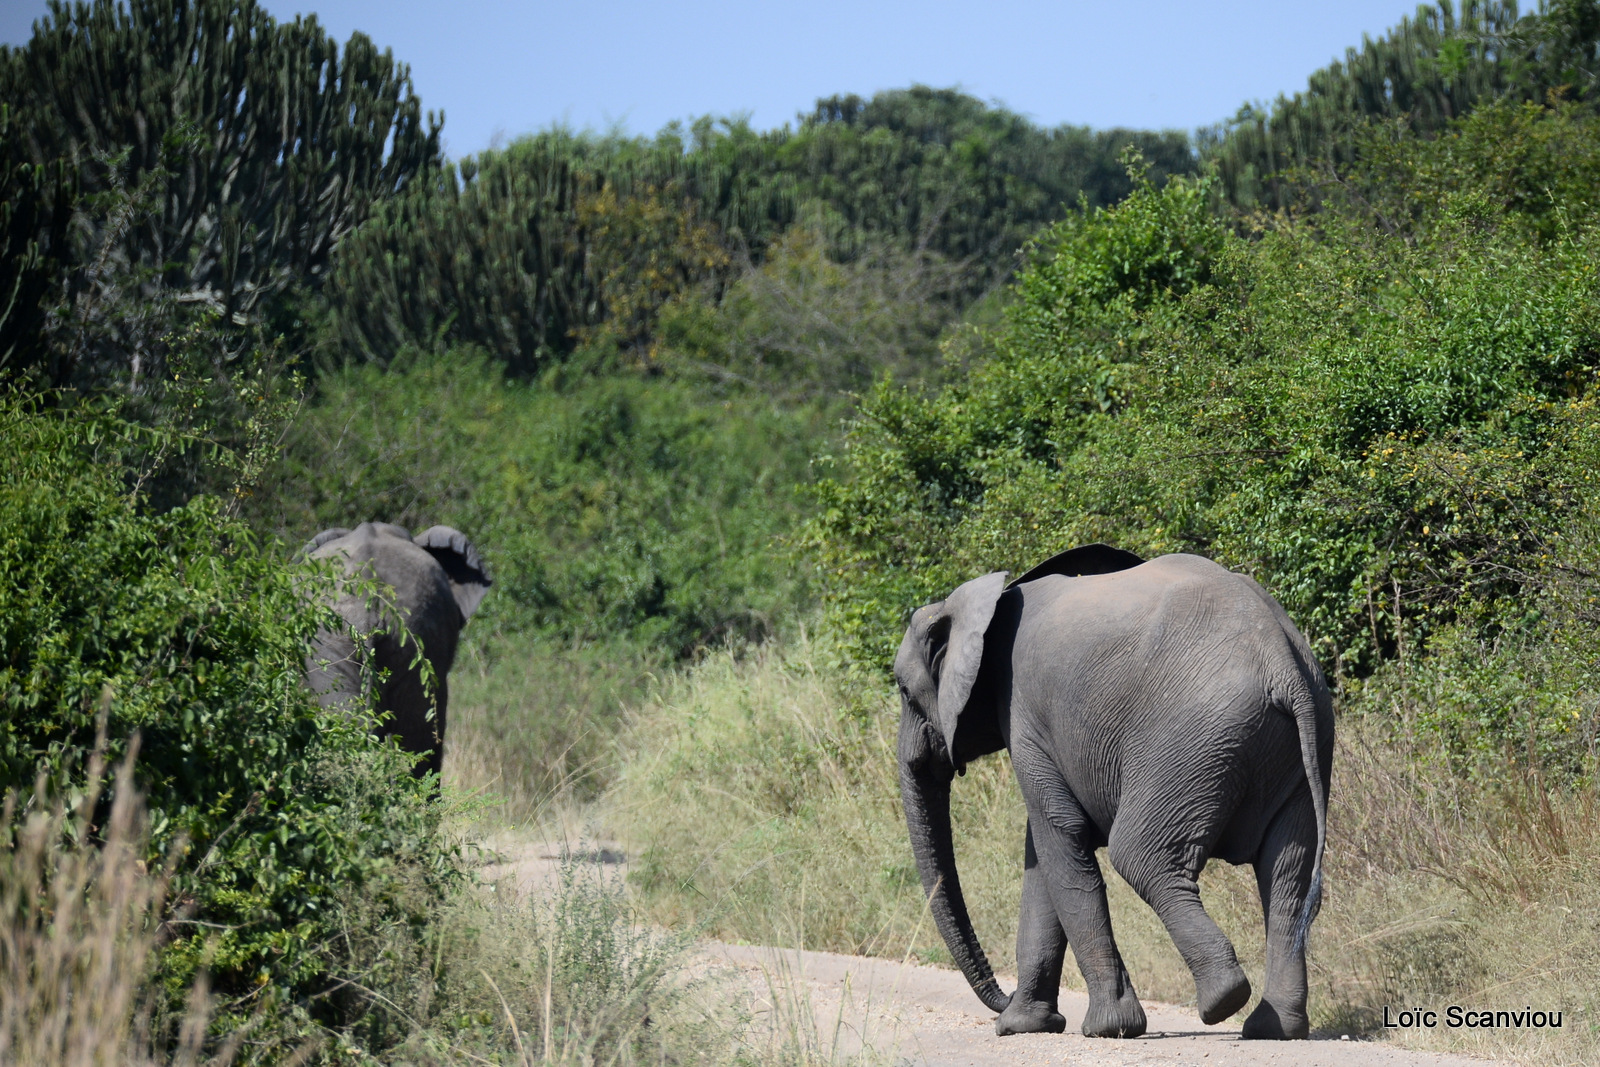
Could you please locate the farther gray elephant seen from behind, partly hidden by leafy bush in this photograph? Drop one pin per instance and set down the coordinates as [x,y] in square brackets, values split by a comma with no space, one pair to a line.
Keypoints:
[434,585]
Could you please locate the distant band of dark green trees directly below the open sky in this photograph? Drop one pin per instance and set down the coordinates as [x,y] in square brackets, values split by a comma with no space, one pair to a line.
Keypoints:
[529,252]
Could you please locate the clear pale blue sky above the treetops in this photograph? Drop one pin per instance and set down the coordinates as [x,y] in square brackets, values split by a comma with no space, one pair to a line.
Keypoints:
[503,68]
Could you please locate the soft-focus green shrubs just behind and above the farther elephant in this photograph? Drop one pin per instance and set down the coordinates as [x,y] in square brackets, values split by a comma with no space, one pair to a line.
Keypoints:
[609,505]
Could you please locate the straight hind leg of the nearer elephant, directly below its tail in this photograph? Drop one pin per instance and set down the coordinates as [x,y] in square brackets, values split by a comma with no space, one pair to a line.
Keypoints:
[1284,871]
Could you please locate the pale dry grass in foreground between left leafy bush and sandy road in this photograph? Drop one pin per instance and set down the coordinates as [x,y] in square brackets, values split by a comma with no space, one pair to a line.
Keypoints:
[574,973]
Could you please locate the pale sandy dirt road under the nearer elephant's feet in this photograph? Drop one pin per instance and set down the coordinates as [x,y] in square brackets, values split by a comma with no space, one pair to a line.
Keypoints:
[905,1015]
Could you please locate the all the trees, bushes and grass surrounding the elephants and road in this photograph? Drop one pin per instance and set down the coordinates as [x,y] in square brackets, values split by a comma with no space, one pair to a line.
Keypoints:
[721,407]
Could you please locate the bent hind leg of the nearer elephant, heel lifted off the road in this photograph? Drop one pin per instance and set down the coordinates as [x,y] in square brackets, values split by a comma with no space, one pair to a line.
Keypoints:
[1166,874]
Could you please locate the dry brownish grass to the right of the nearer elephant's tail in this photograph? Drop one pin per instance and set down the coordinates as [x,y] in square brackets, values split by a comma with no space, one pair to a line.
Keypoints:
[1457,893]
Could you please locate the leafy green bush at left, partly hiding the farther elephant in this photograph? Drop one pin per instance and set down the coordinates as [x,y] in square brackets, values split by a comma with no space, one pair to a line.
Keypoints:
[177,628]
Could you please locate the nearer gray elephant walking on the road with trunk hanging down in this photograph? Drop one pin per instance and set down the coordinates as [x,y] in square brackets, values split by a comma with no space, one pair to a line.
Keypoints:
[1166,711]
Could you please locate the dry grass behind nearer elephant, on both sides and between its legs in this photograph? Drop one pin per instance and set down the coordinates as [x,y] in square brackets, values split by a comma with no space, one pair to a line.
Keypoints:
[759,794]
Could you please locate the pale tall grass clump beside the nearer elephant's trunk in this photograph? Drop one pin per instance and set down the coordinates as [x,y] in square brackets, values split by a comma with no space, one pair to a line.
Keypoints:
[759,793]
